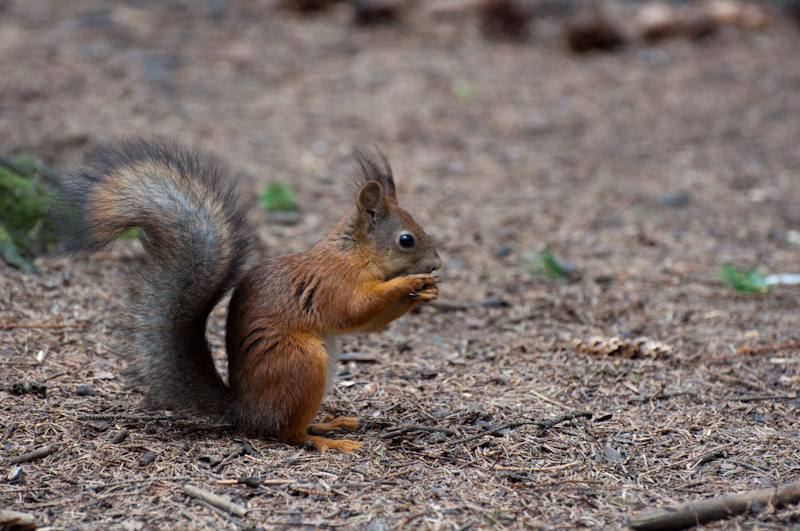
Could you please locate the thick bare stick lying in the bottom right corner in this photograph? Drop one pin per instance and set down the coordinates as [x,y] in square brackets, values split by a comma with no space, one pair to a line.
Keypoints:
[691,514]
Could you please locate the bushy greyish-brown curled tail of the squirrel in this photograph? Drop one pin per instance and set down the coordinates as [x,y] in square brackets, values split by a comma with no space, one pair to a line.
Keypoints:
[194,231]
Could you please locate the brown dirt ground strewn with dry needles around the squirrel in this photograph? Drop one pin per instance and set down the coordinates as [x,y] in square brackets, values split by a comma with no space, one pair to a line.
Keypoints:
[645,168]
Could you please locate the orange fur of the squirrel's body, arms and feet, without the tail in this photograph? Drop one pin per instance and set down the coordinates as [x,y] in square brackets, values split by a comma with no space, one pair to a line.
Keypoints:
[285,310]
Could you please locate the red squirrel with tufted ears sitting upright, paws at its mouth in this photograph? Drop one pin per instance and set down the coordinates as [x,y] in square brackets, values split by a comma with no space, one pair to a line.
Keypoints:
[285,313]
